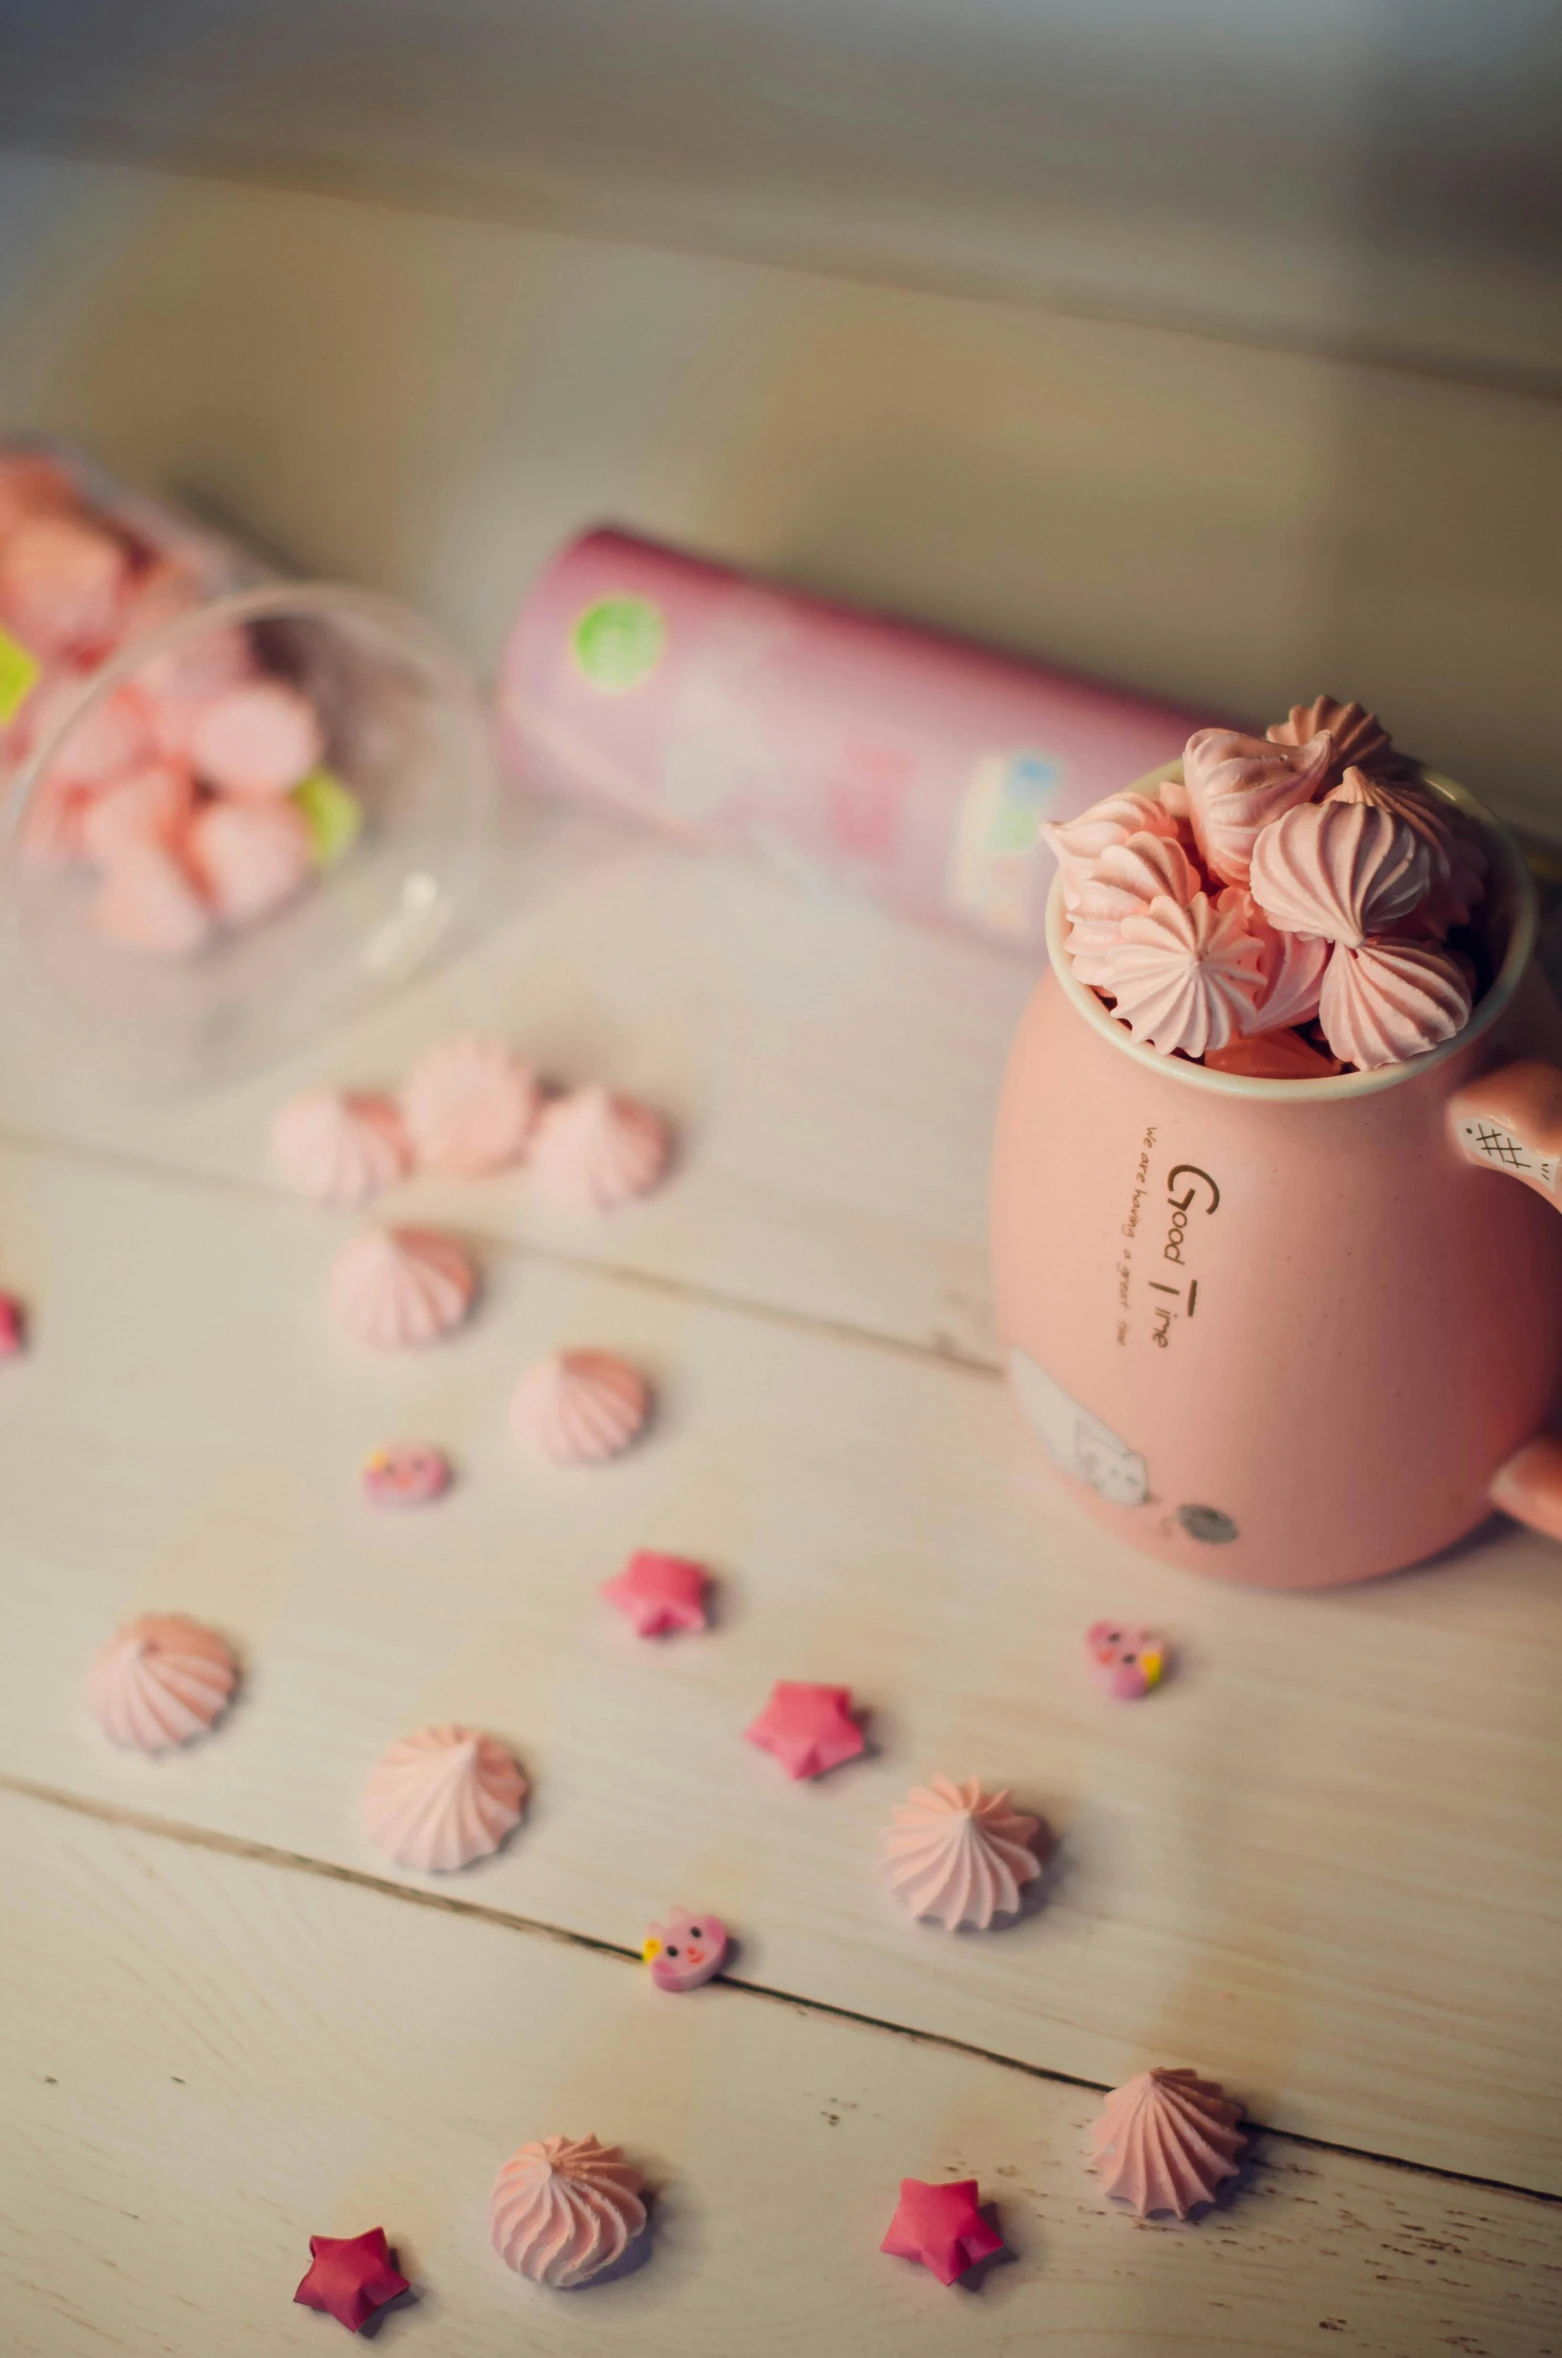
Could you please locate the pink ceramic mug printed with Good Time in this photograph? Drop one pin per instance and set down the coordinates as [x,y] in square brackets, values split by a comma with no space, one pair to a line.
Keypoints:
[1289,1331]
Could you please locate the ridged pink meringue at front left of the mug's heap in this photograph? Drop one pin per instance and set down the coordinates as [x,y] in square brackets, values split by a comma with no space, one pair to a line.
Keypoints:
[1186,980]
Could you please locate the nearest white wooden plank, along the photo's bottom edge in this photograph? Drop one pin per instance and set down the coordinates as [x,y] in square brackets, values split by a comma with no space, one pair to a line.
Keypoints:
[206,2060]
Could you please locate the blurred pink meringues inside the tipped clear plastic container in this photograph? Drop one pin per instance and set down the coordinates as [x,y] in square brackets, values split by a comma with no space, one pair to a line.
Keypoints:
[190,791]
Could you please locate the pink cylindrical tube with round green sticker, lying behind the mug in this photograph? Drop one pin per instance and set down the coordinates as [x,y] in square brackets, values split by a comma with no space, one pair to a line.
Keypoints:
[836,746]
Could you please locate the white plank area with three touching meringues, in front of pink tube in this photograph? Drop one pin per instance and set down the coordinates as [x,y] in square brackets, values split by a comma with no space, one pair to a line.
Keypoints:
[832,1069]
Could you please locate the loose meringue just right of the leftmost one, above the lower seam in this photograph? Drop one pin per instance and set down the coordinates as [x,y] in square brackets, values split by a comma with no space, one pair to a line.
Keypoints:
[442,1798]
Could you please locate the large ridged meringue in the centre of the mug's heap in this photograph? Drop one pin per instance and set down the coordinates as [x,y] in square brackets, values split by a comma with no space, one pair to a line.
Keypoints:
[1339,869]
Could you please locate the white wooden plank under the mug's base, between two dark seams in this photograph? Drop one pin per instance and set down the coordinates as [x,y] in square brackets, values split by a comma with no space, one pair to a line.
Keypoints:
[1320,1862]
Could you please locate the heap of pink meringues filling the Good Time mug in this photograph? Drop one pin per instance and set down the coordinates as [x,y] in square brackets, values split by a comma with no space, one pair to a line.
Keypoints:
[1294,907]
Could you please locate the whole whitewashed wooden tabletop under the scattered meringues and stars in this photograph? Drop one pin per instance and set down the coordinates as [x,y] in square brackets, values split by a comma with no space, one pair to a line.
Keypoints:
[1320,1866]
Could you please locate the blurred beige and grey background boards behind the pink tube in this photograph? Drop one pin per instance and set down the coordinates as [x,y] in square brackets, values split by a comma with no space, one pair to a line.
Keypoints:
[1212,343]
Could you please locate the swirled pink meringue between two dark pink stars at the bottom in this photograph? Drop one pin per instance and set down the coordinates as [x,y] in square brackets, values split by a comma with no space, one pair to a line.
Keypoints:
[565,2208]
